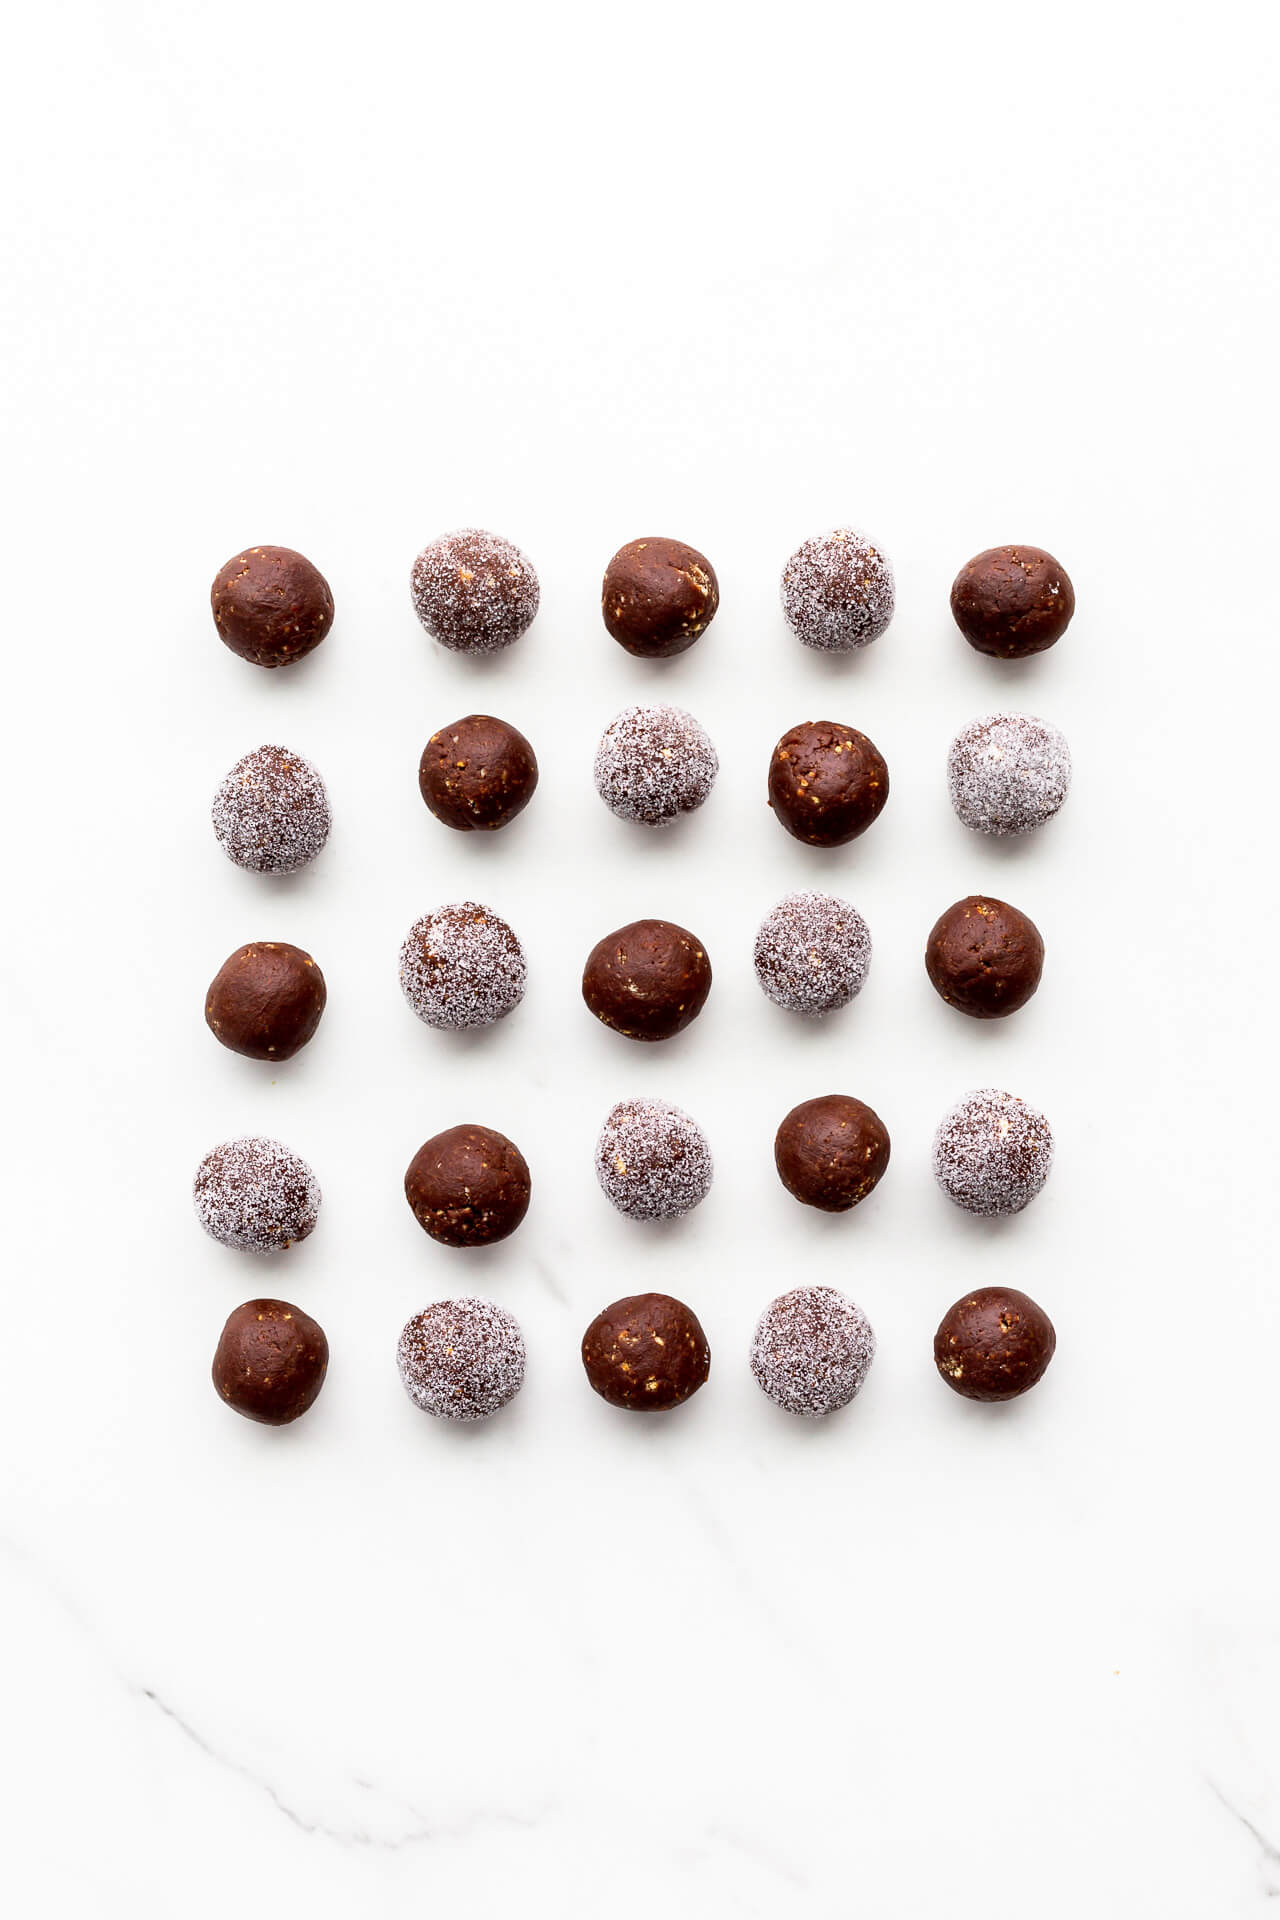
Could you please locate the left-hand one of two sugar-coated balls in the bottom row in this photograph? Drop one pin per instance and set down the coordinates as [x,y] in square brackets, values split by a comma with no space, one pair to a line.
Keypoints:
[462,1360]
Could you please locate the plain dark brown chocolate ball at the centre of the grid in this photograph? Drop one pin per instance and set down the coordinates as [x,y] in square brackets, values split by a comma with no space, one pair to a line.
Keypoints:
[648,980]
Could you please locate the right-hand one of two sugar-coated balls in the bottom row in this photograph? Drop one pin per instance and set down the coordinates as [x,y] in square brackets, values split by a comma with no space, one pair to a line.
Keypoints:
[813,1351]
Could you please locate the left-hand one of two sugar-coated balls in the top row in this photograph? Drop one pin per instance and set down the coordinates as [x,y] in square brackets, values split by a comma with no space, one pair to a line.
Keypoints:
[475,592]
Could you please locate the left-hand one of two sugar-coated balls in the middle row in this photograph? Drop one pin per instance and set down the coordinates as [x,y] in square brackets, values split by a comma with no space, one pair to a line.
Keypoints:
[462,967]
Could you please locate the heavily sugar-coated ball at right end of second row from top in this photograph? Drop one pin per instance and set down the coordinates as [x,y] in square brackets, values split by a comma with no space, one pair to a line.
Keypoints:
[1008,773]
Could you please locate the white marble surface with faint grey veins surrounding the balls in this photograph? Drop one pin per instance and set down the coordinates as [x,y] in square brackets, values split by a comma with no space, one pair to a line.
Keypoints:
[343,279]
